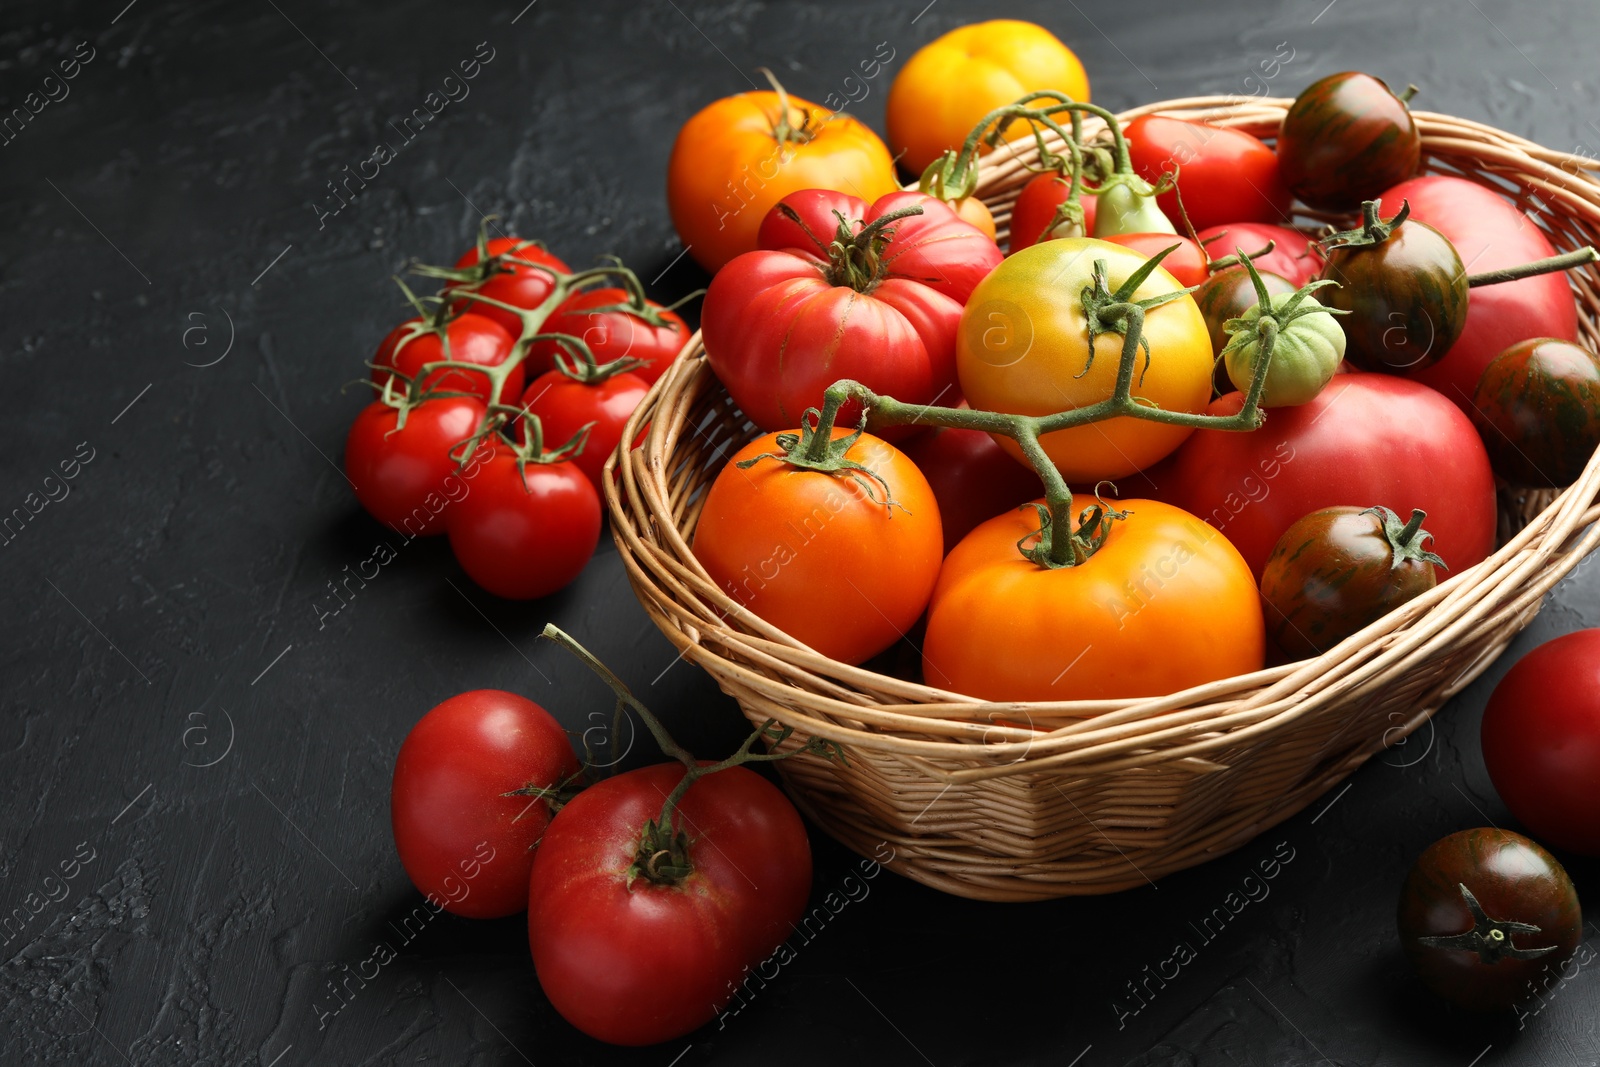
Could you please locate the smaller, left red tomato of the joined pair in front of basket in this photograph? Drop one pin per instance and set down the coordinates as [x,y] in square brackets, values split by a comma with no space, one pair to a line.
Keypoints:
[463,841]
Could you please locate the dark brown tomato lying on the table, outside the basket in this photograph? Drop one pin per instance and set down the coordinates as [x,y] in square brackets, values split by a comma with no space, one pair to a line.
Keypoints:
[1486,916]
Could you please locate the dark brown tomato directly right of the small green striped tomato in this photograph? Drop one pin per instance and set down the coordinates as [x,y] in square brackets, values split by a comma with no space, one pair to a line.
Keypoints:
[1407,298]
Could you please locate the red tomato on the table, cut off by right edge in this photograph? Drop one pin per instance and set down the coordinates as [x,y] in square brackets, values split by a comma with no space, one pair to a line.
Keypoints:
[1542,741]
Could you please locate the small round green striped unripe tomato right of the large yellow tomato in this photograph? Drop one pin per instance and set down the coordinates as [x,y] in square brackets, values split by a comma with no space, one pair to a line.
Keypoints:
[1305,358]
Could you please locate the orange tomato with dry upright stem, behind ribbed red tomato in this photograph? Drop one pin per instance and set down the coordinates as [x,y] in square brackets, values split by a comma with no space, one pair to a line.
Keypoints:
[730,166]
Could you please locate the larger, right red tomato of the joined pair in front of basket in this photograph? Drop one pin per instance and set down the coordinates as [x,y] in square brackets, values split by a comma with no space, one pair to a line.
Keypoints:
[644,964]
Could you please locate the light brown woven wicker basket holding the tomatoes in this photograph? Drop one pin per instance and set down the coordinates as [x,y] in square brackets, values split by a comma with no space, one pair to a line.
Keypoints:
[1105,794]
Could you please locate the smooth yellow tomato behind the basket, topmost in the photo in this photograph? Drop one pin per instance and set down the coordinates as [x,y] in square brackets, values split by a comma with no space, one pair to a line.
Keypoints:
[951,84]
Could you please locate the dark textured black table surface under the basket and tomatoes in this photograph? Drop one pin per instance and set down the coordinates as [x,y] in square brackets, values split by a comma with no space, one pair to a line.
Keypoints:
[194,735]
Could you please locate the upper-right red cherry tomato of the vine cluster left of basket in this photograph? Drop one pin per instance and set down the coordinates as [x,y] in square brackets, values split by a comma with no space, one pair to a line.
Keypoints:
[614,332]
